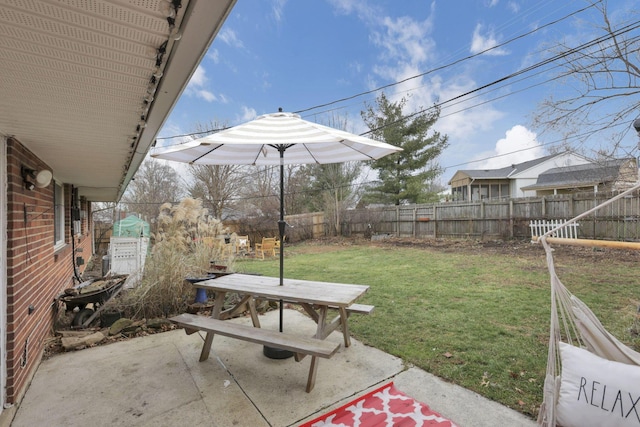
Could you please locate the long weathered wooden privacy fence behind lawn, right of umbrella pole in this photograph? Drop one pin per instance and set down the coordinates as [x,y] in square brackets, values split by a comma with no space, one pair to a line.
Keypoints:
[500,219]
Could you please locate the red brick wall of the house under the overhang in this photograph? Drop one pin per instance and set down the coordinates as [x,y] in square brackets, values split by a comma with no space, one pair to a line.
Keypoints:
[36,273]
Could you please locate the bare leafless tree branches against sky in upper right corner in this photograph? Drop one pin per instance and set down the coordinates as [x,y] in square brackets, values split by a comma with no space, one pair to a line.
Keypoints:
[599,82]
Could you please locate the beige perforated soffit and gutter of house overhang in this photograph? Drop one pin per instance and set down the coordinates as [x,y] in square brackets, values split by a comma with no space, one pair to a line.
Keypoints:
[74,77]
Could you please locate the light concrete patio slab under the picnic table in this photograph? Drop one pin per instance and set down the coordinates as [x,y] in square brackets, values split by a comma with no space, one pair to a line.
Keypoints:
[158,381]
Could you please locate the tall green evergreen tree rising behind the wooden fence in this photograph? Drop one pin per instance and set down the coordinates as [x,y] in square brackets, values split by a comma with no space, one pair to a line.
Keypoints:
[407,176]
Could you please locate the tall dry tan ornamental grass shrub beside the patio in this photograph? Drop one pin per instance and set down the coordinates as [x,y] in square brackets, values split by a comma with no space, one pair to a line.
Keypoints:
[185,243]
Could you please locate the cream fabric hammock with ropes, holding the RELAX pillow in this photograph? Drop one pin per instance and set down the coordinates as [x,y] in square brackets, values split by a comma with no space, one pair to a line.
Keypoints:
[583,356]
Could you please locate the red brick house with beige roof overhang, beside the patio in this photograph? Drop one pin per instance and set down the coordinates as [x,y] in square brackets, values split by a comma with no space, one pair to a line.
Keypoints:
[84,89]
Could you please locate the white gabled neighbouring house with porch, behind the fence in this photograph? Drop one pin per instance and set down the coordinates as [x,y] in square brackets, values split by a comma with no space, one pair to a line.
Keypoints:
[479,184]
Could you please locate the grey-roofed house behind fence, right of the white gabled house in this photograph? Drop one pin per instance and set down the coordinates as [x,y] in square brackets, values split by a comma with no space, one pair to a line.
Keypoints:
[610,175]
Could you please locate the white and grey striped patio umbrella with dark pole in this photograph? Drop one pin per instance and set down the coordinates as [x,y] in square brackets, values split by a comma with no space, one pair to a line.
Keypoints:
[277,139]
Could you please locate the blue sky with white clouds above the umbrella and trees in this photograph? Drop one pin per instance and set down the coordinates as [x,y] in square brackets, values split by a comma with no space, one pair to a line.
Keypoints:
[300,55]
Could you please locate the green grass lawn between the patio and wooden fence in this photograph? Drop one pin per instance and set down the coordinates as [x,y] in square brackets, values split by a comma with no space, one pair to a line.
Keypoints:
[475,316]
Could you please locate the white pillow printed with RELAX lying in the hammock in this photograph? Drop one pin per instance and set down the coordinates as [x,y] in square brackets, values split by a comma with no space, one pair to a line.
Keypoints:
[597,392]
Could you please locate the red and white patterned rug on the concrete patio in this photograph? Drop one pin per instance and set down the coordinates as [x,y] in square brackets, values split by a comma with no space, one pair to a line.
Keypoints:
[385,407]
